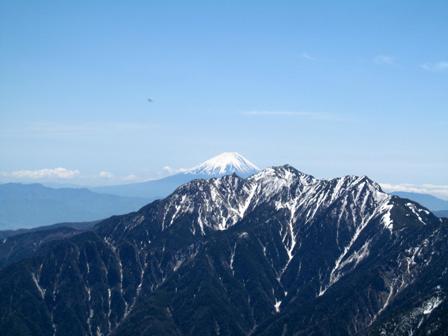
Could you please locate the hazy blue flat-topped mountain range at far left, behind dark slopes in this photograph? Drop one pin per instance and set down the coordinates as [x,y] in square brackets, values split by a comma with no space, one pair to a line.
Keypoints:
[32,205]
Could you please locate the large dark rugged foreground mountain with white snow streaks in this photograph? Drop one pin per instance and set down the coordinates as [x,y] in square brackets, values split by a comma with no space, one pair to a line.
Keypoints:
[278,253]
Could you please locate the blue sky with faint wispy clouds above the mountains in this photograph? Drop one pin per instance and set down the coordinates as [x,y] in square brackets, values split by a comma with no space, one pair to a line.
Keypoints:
[331,87]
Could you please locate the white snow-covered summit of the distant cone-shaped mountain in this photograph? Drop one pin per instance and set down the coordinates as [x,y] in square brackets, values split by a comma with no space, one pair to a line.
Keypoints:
[225,164]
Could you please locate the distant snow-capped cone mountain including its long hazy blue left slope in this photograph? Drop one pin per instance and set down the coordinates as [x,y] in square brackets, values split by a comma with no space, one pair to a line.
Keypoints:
[223,164]
